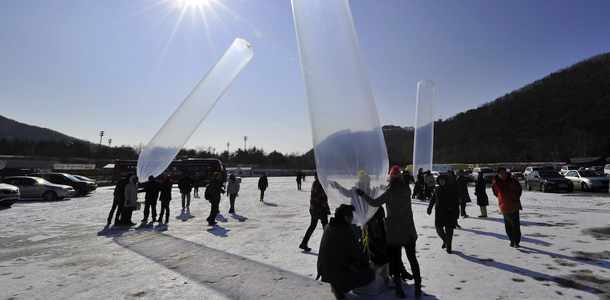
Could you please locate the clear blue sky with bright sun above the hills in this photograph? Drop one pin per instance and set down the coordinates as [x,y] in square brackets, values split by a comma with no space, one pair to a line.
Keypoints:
[79,67]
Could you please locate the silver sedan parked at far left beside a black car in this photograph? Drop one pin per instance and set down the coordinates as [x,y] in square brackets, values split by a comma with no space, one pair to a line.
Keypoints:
[36,187]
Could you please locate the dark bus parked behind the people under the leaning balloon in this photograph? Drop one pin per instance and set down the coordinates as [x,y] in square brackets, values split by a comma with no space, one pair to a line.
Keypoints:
[205,166]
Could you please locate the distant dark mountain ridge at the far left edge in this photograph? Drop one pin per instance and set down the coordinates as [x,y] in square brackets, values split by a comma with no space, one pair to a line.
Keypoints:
[11,129]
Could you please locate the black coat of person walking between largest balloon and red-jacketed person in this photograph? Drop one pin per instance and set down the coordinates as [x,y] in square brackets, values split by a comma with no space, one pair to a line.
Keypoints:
[446,201]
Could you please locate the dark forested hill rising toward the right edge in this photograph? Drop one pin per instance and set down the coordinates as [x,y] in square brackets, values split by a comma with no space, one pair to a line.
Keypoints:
[563,115]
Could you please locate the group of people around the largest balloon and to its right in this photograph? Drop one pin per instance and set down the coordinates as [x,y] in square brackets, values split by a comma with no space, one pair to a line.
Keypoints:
[341,261]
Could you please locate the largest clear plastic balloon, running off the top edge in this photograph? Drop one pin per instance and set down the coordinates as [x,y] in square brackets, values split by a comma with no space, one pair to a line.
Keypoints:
[346,132]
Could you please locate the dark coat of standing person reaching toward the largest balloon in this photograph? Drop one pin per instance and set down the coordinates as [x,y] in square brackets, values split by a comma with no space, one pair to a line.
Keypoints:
[400,228]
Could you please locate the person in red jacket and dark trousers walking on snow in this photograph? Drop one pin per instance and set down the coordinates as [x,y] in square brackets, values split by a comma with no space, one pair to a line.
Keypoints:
[508,190]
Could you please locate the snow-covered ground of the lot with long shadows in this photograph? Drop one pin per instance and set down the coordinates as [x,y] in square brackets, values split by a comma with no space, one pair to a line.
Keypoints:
[63,250]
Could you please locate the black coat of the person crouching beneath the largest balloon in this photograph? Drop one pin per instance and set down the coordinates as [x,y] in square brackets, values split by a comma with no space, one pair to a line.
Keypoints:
[338,251]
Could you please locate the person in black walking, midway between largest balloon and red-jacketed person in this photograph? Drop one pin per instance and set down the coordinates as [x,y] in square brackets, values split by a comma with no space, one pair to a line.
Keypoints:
[447,201]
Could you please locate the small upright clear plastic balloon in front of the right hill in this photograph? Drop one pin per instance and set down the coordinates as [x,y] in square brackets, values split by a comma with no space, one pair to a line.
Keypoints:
[424,126]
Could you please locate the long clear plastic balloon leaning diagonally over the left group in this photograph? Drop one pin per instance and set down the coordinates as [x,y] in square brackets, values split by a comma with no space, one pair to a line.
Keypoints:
[166,144]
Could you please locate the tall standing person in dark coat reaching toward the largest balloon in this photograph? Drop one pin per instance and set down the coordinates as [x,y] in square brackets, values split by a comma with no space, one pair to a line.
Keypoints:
[400,227]
